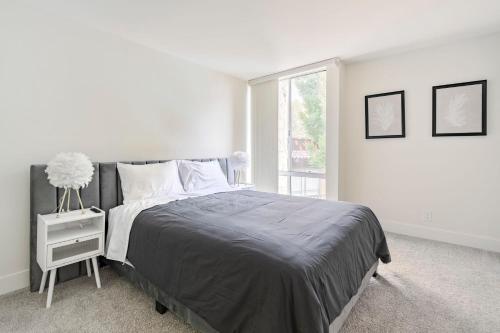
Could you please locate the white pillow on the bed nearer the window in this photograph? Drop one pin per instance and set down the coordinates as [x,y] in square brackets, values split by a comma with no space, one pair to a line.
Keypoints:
[199,176]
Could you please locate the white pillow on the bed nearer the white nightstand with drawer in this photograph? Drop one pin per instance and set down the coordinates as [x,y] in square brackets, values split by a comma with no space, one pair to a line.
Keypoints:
[148,181]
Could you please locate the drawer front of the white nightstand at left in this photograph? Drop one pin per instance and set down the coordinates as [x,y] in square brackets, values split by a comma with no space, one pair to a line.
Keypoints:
[74,250]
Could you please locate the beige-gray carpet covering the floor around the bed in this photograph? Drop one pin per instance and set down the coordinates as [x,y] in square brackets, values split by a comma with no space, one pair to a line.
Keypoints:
[429,287]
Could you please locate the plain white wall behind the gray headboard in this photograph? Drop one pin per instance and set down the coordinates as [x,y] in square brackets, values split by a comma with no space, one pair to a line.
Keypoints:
[65,87]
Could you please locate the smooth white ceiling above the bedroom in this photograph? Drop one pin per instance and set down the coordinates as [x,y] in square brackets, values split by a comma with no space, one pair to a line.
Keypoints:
[252,38]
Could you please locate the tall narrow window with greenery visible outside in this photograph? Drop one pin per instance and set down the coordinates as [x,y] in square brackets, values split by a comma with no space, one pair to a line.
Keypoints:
[301,135]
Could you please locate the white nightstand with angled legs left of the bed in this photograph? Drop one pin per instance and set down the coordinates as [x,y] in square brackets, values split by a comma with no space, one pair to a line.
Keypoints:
[69,238]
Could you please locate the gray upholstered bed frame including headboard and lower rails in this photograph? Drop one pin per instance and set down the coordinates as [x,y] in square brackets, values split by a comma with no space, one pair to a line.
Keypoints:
[105,192]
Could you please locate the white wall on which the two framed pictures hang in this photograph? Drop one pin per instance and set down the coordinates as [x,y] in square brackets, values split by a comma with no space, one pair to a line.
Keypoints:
[455,178]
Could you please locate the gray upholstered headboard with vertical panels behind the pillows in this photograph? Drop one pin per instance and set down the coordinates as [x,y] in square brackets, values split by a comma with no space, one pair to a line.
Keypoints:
[104,191]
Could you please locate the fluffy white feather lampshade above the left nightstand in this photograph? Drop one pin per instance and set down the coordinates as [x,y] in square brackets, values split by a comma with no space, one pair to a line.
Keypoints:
[70,170]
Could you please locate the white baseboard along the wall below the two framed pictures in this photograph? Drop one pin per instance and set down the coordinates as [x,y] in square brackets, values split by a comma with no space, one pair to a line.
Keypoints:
[442,235]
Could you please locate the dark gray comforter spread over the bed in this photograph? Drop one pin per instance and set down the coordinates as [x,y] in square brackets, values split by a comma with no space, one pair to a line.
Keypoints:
[250,261]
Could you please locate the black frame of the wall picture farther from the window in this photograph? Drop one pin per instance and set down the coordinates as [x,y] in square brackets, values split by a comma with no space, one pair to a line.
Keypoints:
[483,131]
